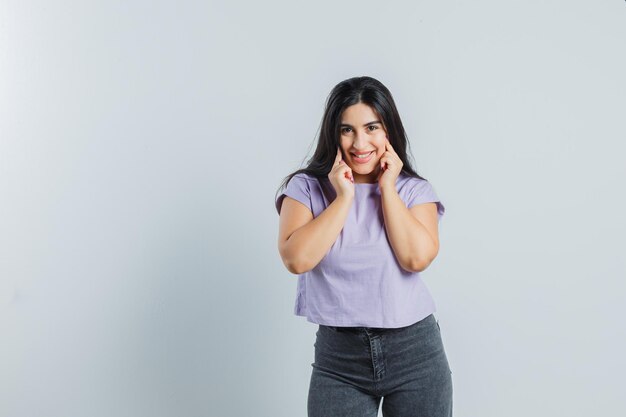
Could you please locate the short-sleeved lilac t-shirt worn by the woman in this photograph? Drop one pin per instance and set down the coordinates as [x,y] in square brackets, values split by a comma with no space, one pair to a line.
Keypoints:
[359,282]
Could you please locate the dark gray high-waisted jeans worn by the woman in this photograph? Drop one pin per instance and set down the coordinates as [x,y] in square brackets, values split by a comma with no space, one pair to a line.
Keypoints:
[357,367]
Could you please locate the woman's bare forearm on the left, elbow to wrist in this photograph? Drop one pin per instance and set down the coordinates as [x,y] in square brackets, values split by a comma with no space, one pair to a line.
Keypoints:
[309,244]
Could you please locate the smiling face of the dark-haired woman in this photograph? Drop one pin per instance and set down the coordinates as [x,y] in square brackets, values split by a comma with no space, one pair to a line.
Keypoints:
[362,132]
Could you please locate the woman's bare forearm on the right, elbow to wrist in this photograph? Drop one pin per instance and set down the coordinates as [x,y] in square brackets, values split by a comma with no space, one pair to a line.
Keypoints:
[413,246]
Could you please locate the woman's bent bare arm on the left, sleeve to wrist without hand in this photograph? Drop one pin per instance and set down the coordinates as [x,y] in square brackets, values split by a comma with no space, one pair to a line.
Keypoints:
[303,240]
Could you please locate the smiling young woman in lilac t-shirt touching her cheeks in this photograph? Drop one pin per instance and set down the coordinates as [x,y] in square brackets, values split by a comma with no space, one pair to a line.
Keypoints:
[358,225]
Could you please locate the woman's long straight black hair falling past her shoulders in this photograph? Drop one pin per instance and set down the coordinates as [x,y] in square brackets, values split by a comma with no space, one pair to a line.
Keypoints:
[355,90]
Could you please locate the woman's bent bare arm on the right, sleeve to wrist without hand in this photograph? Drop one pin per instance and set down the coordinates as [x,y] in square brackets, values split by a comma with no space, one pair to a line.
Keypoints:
[412,233]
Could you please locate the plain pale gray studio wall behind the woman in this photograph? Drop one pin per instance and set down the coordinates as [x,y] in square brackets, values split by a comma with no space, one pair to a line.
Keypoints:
[142,142]
